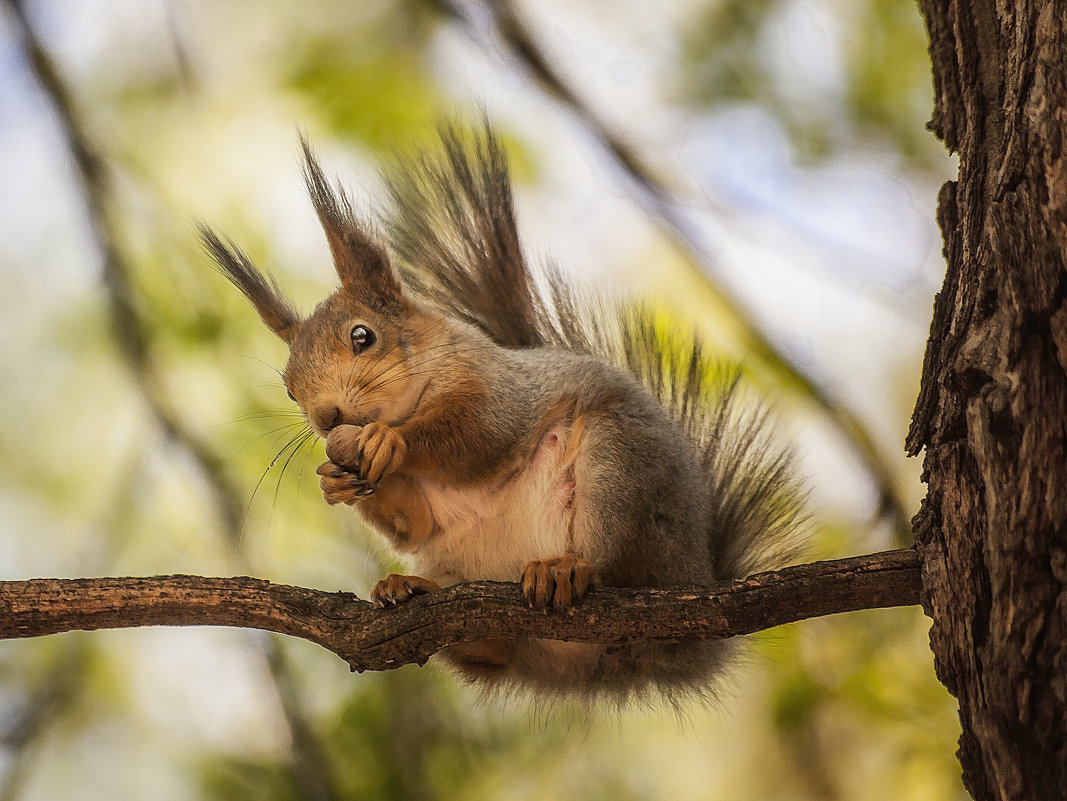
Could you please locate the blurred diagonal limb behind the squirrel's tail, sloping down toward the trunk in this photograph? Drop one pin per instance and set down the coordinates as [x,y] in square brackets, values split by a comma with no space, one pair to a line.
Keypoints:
[661,200]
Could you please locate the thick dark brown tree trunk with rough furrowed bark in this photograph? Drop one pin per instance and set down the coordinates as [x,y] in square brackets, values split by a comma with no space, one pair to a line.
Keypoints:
[993,408]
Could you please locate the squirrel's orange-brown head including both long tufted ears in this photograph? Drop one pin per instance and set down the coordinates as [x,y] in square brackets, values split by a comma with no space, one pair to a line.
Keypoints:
[353,361]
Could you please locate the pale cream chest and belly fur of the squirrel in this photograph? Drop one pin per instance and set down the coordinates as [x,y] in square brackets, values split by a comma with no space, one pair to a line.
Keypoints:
[493,532]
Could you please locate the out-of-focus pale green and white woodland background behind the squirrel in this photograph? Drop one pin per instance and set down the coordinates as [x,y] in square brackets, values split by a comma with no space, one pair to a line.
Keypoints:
[759,169]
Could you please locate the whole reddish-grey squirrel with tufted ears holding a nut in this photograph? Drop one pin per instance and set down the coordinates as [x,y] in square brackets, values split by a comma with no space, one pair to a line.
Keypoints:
[495,424]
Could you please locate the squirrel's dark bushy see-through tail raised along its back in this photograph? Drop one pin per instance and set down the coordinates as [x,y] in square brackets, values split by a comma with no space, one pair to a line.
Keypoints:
[453,230]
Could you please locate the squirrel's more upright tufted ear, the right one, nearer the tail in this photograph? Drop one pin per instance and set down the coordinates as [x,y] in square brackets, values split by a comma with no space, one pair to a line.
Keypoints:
[362,263]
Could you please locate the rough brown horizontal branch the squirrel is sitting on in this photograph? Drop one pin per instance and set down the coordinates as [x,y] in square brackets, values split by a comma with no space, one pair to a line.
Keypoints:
[384,639]
